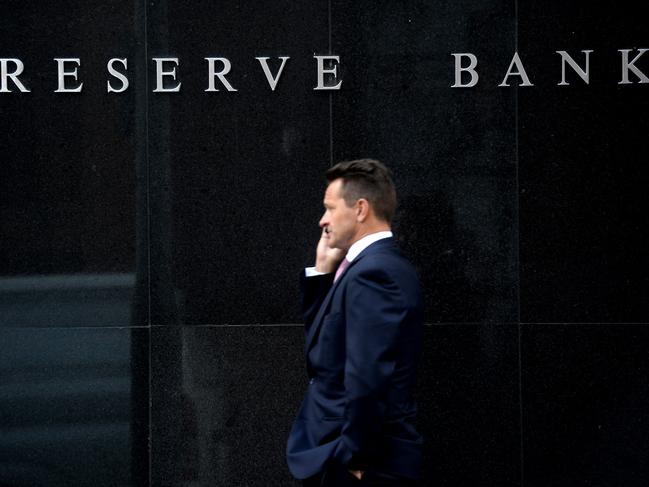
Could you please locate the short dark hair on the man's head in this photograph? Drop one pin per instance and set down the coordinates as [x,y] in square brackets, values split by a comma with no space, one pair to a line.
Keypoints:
[369,179]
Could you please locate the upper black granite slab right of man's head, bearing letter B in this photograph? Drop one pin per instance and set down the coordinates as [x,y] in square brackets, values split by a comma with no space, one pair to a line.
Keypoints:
[452,151]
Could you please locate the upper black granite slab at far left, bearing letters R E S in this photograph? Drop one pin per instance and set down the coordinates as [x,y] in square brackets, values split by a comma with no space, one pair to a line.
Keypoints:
[67,192]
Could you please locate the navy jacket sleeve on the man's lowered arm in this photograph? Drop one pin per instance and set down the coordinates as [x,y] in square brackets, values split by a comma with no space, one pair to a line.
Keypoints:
[374,312]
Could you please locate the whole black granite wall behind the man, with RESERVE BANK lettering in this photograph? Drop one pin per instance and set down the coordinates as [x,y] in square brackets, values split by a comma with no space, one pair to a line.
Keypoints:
[151,242]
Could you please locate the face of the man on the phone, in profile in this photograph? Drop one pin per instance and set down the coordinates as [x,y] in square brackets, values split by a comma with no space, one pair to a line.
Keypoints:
[339,220]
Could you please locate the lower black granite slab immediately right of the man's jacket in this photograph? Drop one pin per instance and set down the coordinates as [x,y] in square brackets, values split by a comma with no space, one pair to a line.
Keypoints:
[469,406]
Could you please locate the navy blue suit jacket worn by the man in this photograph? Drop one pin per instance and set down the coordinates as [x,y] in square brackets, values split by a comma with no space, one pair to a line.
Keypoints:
[363,342]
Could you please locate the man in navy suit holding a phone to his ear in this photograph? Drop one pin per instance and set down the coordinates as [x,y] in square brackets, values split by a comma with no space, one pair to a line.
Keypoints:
[363,323]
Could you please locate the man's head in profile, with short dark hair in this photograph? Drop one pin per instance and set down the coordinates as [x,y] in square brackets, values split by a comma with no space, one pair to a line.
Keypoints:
[359,200]
